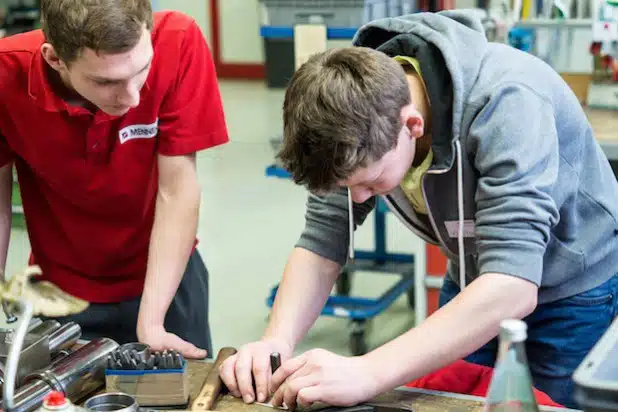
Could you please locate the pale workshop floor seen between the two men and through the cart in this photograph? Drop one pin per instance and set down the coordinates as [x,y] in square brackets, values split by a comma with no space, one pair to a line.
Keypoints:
[249,224]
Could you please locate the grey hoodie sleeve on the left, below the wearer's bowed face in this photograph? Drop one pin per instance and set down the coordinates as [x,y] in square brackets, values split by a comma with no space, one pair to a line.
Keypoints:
[326,230]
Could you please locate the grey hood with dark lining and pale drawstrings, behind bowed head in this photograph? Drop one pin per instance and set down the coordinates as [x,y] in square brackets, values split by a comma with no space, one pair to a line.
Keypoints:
[450,47]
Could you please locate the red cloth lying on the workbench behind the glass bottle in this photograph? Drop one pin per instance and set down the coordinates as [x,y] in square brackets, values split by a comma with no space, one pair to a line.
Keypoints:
[467,379]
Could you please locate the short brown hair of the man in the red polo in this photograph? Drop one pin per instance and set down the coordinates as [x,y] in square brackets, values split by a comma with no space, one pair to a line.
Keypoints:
[107,26]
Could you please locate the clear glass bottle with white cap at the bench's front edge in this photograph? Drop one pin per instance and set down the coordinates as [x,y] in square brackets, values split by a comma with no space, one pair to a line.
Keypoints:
[510,389]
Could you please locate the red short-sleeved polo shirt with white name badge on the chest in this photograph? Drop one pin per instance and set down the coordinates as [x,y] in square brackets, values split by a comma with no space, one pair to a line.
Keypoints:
[89,180]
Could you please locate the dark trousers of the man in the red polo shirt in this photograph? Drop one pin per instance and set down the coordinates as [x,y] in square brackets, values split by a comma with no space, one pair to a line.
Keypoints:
[186,317]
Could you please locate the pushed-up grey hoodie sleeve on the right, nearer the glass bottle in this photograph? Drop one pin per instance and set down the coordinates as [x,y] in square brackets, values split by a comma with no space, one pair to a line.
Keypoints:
[515,146]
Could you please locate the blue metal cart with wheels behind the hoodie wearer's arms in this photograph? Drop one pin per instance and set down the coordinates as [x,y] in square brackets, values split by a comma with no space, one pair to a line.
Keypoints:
[359,310]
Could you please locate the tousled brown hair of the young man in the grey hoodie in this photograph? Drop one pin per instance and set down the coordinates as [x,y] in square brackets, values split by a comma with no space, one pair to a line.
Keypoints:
[341,110]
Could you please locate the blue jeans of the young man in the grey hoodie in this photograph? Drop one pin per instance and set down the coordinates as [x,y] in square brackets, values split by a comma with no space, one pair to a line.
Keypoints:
[560,335]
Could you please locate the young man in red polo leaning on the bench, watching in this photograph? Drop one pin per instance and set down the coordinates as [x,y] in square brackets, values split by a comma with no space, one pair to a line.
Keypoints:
[101,112]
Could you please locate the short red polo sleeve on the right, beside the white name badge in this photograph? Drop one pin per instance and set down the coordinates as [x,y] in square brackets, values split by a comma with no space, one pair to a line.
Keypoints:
[191,117]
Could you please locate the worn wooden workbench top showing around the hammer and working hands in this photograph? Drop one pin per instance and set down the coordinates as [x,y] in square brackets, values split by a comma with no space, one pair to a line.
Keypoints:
[419,400]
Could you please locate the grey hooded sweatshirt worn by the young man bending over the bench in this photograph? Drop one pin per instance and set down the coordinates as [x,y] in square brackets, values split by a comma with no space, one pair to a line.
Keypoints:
[518,184]
